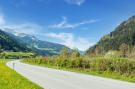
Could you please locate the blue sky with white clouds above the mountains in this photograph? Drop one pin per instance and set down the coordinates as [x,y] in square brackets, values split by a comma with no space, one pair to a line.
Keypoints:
[74,23]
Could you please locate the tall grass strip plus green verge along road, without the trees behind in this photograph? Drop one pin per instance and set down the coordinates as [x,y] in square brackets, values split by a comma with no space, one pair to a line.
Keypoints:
[119,68]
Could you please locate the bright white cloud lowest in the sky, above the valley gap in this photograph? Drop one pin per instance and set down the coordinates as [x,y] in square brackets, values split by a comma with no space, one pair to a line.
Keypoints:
[69,40]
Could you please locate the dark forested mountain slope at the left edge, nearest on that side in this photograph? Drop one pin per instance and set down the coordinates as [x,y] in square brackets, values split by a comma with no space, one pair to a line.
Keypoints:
[8,43]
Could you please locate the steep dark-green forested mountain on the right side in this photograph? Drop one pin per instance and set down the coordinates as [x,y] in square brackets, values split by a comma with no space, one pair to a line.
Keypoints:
[123,34]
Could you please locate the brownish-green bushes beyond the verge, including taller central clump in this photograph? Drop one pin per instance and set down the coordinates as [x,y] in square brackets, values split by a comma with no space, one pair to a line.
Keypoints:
[107,64]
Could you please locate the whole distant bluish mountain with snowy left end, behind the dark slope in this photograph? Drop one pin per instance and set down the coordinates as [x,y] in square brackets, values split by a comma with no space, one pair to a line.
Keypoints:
[37,46]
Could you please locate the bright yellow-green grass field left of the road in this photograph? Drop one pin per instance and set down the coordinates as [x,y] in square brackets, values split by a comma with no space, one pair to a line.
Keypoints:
[10,79]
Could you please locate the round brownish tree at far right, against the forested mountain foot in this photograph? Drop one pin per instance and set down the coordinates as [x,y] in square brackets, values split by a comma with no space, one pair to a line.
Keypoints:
[124,49]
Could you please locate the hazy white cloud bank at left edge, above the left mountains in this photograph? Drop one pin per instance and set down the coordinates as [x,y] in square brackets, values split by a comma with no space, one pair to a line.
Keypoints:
[28,28]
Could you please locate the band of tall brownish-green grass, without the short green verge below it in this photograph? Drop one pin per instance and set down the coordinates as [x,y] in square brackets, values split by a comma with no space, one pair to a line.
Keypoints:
[119,65]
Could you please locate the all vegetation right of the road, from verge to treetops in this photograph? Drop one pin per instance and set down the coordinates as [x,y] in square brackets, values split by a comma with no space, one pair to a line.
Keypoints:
[114,64]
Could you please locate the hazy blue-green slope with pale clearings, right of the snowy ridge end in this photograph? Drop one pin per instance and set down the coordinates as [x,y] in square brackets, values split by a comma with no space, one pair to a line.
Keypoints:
[42,47]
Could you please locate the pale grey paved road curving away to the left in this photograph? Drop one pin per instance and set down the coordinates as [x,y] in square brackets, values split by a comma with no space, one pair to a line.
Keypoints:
[56,79]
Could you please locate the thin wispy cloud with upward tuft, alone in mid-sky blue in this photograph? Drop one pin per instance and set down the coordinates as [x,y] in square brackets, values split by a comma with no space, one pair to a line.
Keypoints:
[65,24]
